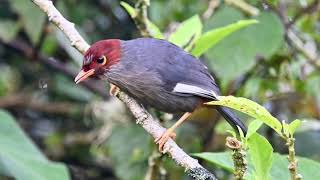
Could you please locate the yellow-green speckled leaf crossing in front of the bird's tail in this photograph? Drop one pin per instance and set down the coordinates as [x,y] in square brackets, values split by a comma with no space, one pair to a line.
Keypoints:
[251,108]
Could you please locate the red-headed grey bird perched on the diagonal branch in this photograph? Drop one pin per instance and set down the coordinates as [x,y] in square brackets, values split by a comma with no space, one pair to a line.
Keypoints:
[158,74]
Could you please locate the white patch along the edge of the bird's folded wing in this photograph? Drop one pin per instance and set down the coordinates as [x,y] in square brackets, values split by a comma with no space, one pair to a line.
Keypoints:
[194,90]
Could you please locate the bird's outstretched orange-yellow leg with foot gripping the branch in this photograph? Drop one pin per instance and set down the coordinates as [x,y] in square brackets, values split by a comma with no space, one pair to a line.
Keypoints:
[170,132]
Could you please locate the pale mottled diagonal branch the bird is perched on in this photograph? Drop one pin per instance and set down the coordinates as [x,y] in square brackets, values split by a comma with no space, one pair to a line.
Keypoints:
[143,118]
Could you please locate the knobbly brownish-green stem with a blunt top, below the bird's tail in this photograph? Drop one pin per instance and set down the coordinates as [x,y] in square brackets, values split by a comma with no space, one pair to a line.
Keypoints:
[238,156]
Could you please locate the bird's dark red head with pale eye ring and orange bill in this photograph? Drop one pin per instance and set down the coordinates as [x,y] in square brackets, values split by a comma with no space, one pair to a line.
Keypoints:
[99,58]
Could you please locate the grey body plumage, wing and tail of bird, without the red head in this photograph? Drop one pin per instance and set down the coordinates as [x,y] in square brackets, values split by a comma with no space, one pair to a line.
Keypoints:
[159,74]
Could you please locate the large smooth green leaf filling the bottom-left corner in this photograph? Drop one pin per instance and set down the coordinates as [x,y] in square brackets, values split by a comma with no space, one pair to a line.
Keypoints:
[20,158]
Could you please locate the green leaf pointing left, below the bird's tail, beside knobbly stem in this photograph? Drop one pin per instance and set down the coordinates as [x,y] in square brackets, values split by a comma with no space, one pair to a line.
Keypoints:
[221,159]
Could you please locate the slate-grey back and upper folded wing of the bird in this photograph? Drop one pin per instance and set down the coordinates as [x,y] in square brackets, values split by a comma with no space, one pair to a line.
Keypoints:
[174,65]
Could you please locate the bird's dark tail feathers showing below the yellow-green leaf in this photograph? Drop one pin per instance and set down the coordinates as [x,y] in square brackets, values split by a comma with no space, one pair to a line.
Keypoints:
[232,118]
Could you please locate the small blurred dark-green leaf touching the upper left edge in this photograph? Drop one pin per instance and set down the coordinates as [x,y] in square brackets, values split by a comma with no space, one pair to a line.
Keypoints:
[8,30]
